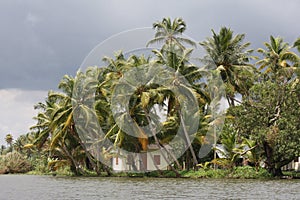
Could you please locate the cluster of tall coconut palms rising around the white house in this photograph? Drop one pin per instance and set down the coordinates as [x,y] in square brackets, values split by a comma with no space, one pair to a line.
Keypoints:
[86,114]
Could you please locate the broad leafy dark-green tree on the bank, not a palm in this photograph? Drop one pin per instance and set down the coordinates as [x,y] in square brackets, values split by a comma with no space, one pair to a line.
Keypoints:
[271,118]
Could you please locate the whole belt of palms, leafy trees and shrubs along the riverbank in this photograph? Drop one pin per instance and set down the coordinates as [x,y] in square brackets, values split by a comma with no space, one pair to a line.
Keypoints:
[263,94]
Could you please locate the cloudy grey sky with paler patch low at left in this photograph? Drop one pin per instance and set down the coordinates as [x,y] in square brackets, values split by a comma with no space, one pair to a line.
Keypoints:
[41,40]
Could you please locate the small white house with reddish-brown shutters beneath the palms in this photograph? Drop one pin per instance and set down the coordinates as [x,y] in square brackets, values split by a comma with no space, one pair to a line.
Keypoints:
[152,159]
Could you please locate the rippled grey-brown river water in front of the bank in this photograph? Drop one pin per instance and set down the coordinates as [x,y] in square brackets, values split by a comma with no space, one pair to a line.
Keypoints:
[25,187]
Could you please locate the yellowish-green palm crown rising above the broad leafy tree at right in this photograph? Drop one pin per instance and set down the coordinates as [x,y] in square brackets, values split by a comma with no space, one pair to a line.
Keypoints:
[278,61]
